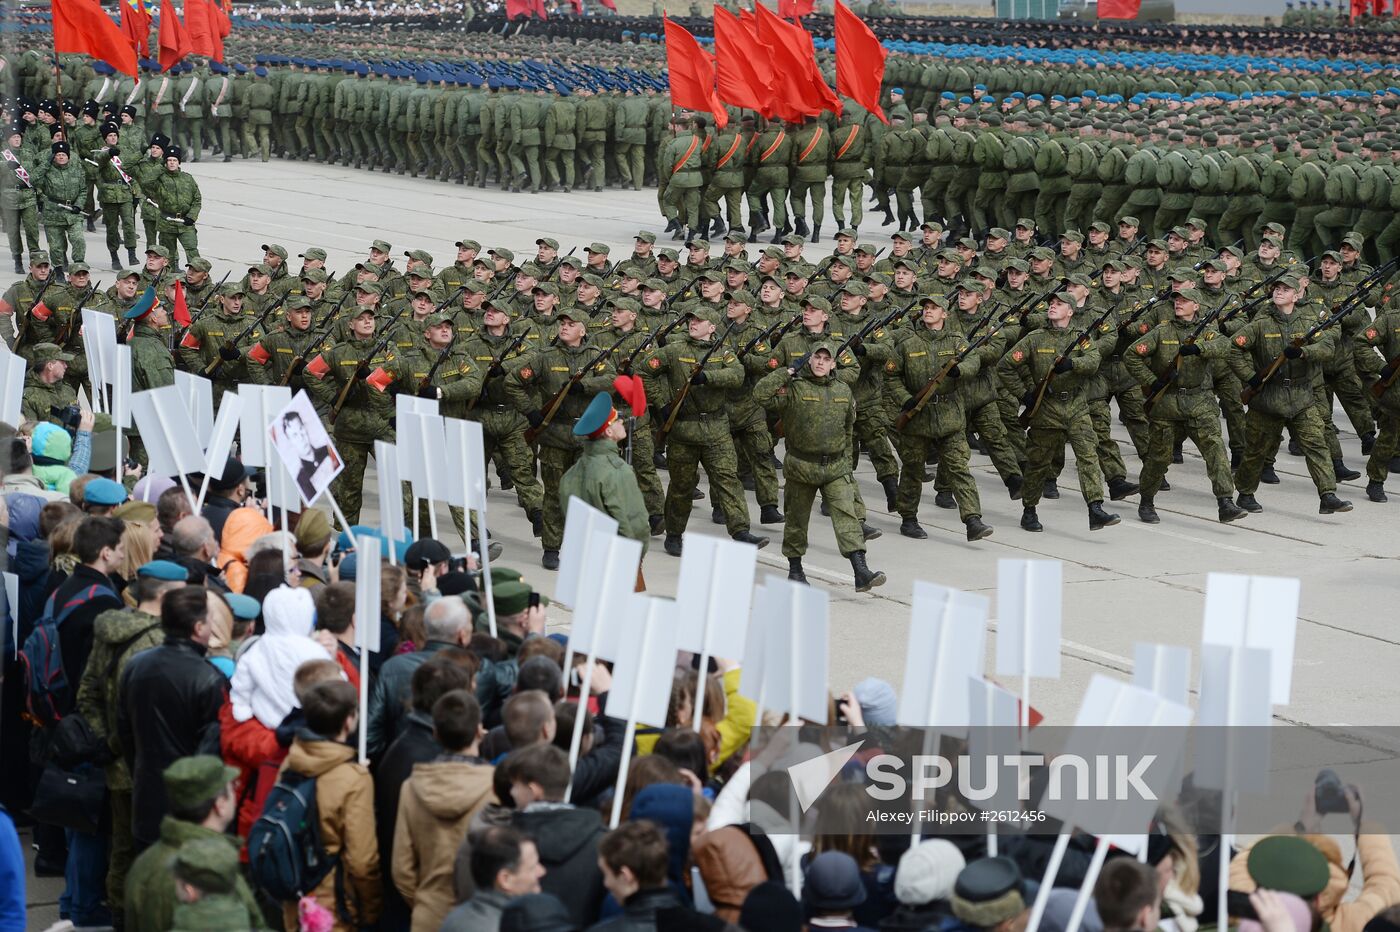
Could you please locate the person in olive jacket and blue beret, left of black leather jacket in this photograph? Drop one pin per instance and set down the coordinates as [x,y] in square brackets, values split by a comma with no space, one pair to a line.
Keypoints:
[118,636]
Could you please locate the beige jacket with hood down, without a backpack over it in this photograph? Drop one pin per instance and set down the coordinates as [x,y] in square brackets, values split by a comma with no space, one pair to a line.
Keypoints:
[436,808]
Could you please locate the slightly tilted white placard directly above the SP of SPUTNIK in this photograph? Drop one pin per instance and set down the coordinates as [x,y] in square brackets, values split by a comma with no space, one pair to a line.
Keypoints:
[947,646]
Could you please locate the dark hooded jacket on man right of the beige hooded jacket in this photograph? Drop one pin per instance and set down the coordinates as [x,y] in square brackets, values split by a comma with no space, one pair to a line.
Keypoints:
[568,842]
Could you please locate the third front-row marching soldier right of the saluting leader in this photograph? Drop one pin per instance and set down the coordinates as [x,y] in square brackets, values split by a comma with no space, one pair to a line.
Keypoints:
[1174,363]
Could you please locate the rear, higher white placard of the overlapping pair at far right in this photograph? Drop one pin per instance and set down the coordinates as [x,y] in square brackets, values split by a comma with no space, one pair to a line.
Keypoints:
[1259,612]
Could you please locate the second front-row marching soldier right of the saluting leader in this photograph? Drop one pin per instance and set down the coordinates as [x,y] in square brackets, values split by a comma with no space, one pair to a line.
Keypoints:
[1049,370]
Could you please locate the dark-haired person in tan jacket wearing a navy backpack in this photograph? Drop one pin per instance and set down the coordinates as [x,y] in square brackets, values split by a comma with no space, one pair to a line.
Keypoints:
[345,805]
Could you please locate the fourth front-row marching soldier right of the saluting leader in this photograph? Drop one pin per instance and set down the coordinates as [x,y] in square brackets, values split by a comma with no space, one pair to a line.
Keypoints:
[1287,398]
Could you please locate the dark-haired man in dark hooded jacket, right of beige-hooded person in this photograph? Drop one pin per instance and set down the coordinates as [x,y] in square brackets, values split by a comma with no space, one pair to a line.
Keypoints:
[568,838]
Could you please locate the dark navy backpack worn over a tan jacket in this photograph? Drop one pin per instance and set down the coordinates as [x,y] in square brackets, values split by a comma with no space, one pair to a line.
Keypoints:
[286,854]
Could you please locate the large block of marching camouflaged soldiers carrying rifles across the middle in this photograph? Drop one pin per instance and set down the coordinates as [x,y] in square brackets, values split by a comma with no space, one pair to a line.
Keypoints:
[1017,346]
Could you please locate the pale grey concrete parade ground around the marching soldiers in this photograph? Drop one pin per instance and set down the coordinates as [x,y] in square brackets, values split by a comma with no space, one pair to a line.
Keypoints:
[1123,586]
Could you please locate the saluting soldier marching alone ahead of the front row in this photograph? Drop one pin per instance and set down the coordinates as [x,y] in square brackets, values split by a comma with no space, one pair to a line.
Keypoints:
[820,412]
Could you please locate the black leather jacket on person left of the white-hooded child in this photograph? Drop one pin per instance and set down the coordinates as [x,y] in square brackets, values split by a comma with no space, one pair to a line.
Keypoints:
[167,698]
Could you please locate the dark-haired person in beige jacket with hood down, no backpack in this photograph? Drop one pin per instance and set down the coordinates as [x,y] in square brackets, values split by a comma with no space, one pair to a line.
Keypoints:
[437,805]
